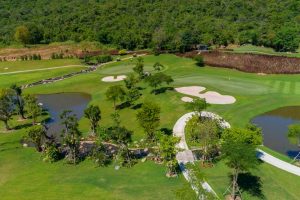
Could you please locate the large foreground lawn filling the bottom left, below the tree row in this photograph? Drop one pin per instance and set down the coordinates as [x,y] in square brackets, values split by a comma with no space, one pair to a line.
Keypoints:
[25,176]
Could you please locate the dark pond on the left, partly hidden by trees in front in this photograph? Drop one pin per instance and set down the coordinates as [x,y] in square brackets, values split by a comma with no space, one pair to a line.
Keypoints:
[56,103]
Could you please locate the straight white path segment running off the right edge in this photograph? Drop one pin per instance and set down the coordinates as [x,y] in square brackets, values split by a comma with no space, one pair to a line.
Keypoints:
[278,163]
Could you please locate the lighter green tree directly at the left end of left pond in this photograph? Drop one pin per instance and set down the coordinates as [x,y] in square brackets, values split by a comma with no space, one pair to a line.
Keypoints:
[32,107]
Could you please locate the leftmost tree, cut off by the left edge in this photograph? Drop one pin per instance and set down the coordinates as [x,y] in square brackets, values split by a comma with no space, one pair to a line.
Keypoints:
[6,106]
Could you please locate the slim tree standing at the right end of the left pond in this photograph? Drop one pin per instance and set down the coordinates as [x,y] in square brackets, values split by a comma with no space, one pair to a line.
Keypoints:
[93,113]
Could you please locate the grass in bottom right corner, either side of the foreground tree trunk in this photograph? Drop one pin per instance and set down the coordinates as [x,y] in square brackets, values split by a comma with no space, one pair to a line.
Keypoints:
[275,183]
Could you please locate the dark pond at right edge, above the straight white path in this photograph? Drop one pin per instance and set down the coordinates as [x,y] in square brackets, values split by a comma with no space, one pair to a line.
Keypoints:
[274,126]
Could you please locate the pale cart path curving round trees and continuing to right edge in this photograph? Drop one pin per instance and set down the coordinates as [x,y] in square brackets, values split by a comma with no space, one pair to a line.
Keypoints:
[186,155]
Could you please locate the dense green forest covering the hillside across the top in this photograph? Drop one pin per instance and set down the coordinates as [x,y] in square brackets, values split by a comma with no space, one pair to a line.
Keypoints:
[161,24]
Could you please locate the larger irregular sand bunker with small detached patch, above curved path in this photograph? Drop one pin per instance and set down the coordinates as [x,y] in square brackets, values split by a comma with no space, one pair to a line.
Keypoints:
[210,96]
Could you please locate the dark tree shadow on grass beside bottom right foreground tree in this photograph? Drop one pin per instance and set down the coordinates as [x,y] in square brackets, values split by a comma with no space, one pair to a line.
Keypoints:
[251,184]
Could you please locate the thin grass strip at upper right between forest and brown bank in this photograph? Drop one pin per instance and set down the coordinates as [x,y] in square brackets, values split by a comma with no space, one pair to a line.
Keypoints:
[264,50]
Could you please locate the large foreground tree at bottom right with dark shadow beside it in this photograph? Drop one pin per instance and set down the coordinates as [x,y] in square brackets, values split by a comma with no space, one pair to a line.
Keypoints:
[238,148]
